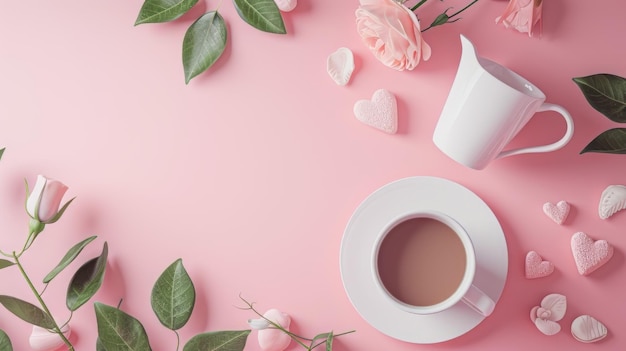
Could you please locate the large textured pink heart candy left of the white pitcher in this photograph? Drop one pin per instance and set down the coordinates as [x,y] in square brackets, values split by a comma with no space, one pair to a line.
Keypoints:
[381,112]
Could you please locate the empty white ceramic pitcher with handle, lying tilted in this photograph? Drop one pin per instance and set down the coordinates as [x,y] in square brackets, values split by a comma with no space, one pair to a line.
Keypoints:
[487,106]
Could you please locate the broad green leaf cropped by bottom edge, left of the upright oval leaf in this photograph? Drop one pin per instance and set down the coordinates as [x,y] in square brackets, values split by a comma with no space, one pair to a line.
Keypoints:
[120,331]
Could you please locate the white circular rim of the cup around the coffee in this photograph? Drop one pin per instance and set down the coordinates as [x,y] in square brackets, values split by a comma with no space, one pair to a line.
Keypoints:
[470,263]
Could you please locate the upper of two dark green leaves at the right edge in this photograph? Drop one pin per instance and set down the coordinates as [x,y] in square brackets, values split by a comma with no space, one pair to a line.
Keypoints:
[606,93]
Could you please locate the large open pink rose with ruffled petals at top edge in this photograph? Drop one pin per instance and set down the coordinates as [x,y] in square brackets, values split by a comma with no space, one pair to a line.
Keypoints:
[392,33]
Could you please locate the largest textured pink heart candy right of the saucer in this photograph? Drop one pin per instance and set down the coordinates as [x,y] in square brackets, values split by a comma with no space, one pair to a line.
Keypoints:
[590,255]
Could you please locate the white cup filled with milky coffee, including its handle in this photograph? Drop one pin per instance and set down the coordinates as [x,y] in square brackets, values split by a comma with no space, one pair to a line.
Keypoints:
[425,263]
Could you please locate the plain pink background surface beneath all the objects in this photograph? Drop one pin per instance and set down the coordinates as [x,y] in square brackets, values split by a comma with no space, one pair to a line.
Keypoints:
[251,172]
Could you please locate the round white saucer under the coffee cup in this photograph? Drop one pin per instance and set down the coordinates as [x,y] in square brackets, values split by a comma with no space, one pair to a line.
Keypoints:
[405,196]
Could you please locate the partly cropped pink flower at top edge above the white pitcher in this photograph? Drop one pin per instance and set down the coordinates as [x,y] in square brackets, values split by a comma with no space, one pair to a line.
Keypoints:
[522,15]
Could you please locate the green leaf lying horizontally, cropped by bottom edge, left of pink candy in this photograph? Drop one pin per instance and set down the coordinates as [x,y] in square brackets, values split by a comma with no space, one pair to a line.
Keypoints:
[228,340]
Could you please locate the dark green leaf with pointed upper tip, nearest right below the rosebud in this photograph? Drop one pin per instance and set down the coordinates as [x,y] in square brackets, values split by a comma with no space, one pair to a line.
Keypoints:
[87,280]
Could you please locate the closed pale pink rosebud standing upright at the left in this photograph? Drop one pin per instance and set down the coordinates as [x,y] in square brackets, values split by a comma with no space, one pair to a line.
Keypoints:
[44,201]
